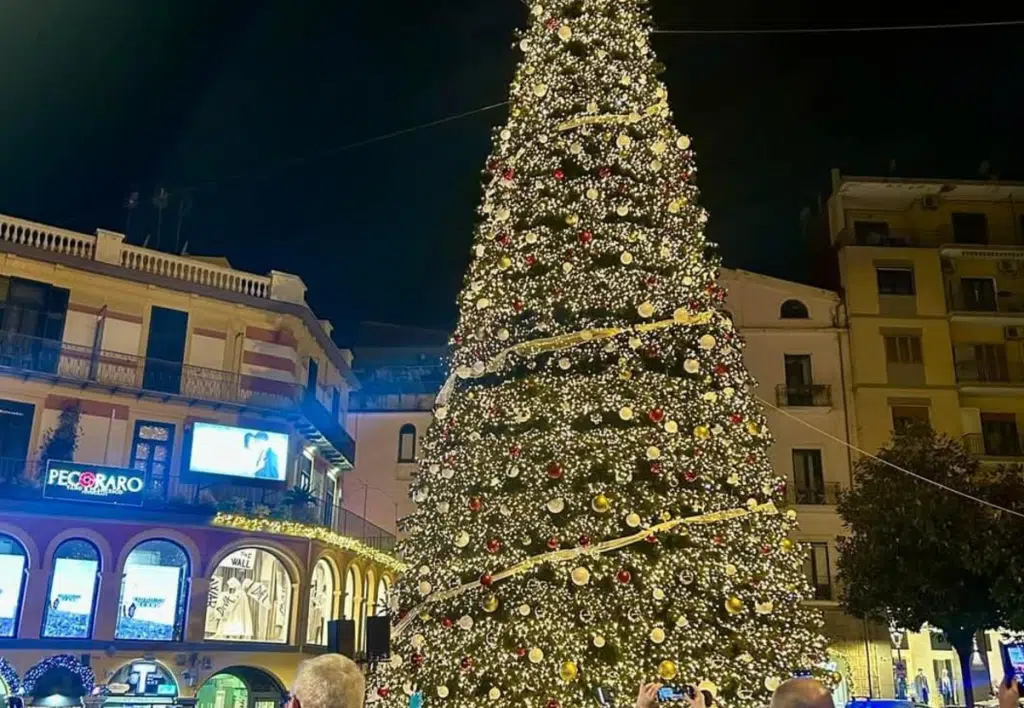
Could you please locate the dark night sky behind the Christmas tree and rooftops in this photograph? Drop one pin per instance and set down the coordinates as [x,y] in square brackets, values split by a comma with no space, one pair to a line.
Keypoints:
[101,98]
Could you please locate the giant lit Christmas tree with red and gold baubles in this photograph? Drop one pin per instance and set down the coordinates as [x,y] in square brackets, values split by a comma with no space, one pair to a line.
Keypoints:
[596,507]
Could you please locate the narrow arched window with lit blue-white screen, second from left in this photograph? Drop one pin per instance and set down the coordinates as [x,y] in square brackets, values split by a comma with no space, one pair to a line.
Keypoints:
[72,599]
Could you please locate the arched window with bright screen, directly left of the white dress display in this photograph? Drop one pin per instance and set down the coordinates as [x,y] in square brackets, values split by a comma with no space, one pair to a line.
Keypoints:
[154,593]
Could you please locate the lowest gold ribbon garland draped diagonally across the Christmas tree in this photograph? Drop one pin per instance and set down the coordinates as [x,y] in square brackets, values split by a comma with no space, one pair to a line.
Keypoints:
[596,550]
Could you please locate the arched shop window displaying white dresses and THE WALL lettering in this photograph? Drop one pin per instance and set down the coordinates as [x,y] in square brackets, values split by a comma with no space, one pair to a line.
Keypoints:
[250,599]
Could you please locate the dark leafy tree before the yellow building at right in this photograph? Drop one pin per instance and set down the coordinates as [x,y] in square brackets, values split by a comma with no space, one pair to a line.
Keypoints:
[920,555]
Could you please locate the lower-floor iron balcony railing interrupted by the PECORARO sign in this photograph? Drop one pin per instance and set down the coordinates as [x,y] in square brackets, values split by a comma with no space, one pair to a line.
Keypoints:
[22,480]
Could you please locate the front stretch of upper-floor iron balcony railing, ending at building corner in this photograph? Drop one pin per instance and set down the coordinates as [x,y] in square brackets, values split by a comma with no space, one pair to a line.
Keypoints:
[118,371]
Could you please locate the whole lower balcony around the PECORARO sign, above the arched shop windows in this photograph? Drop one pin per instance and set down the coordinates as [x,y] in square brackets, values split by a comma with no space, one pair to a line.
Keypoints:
[175,498]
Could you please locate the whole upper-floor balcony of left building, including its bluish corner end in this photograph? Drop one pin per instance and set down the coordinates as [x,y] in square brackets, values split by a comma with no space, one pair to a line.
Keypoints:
[115,372]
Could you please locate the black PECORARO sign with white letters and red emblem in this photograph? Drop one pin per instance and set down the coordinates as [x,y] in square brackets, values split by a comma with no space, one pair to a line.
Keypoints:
[76,482]
